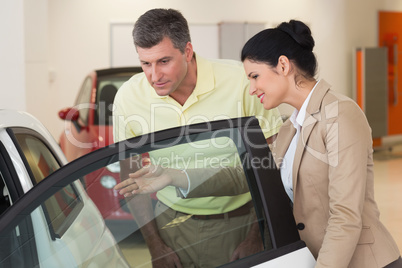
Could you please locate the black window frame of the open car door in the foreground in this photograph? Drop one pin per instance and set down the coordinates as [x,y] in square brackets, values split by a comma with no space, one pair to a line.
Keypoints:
[285,237]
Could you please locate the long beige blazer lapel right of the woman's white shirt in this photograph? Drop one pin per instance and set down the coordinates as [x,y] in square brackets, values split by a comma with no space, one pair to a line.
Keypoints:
[312,117]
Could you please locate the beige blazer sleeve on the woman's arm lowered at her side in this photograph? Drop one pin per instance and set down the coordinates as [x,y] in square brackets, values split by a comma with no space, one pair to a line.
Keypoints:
[348,144]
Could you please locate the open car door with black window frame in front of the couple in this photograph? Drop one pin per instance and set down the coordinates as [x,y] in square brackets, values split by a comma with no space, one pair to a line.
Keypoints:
[236,147]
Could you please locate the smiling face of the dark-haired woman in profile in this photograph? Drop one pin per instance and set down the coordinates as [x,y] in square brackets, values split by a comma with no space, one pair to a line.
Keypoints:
[268,83]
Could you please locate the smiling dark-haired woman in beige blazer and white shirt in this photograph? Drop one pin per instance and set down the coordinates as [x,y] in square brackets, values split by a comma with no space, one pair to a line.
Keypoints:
[324,152]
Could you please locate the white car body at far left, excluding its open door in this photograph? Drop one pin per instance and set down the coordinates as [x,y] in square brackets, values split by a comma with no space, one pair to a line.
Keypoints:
[66,230]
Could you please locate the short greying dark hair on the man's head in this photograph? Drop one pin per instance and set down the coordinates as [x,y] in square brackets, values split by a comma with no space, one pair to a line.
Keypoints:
[156,24]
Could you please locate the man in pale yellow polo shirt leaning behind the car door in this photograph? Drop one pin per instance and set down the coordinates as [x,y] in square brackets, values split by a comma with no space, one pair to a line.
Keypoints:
[178,88]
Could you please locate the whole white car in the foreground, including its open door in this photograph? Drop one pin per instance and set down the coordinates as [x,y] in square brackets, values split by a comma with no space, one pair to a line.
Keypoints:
[52,223]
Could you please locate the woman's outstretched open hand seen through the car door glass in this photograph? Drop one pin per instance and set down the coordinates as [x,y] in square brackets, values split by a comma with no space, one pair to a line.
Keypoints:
[150,179]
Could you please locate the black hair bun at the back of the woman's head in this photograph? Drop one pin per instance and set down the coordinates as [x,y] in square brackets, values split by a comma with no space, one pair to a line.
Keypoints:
[300,32]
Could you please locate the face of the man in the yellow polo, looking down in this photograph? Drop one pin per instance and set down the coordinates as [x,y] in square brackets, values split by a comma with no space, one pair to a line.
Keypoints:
[165,66]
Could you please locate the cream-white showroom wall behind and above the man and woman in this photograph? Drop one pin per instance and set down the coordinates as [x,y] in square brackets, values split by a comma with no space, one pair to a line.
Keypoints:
[74,38]
